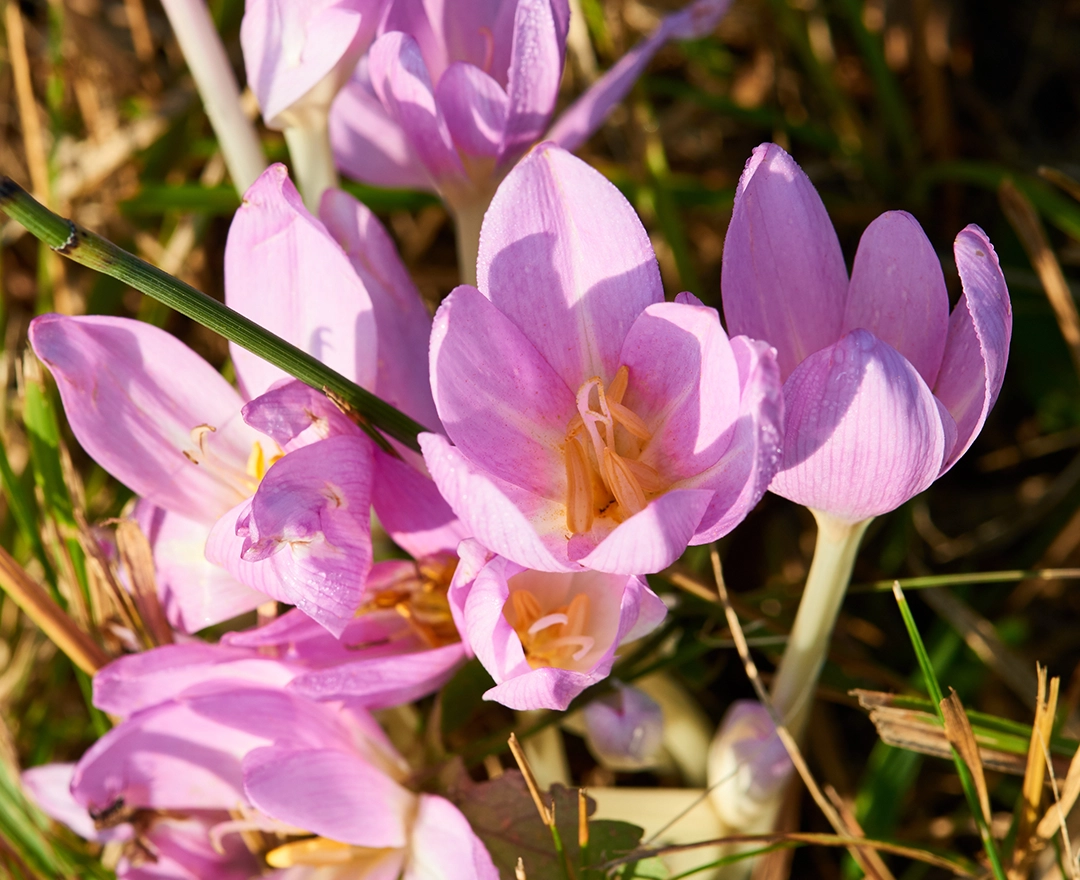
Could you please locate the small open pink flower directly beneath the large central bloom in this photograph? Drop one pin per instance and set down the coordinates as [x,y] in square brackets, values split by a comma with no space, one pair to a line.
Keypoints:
[546,637]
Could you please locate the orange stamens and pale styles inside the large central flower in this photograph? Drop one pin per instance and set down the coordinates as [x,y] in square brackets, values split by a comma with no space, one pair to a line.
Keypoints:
[604,476]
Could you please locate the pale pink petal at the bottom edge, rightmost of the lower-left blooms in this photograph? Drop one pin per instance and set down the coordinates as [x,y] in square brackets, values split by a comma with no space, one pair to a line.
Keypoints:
[443,846]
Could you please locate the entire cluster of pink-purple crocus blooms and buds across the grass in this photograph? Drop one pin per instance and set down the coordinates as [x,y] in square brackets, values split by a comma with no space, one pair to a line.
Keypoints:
[582,432]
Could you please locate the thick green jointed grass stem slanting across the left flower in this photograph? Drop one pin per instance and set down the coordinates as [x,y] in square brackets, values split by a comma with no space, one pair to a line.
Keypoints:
[97,253]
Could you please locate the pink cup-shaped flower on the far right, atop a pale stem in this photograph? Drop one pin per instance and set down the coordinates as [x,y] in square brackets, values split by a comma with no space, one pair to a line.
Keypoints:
[884,390]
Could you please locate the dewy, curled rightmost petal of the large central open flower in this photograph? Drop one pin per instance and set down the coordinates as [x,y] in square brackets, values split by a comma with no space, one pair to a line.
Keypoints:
[741,478]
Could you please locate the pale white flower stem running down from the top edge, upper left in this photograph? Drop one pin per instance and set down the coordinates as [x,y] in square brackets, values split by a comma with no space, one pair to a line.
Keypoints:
[218,87]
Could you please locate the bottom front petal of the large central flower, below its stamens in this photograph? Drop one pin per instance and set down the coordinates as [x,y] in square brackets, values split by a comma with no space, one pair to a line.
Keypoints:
[651,540]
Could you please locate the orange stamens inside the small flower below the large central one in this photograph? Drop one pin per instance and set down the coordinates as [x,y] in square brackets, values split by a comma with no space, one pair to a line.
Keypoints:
[550,639]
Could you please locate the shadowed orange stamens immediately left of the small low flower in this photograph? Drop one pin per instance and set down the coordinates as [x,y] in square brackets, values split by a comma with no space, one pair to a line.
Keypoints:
[421,598]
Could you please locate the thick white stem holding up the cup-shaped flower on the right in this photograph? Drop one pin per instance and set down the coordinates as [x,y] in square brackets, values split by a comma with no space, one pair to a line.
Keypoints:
[834,558]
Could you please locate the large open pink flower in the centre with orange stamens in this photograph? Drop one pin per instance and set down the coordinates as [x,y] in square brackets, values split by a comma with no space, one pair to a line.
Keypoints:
[591,425]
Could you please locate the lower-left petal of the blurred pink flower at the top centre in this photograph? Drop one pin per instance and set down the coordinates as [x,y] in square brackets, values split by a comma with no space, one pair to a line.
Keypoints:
[368,143]
